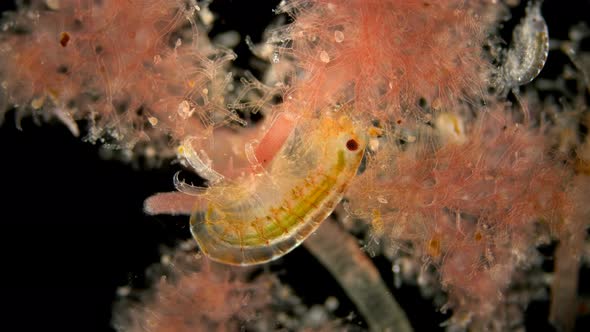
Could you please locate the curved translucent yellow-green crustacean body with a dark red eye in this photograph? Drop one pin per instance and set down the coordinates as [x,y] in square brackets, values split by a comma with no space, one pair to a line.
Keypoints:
[262,216]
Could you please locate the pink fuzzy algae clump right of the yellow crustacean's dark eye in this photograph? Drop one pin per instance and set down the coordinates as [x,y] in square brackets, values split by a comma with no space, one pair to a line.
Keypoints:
[474,207]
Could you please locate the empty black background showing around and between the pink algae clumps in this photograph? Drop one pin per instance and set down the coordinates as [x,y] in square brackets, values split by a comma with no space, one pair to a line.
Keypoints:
[73,230]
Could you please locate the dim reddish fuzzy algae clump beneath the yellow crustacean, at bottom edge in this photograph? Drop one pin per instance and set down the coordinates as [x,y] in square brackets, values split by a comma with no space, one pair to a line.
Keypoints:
[191,293]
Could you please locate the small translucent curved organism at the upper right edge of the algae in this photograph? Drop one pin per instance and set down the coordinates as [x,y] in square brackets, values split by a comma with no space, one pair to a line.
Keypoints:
[528,50]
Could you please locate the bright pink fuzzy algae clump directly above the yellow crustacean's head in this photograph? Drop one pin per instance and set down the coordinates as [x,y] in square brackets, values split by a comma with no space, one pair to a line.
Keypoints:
[387,55]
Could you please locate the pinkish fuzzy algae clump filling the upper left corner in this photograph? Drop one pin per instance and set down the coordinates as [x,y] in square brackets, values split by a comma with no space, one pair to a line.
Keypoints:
[142,72]
